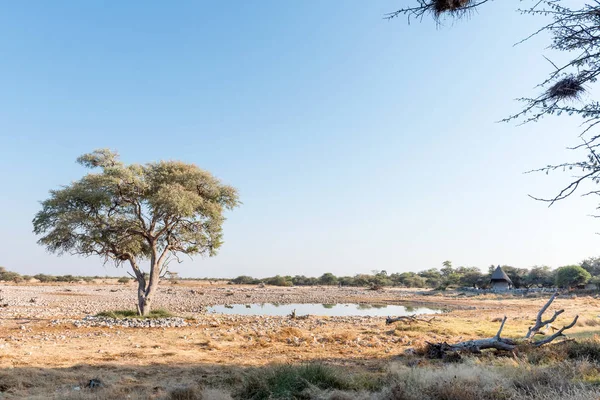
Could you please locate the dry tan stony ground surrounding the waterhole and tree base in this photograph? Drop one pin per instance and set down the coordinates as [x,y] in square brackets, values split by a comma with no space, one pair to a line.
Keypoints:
[215,348]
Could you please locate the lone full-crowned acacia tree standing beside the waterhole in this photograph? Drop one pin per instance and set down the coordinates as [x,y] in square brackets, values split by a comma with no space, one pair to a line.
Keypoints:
[136,213]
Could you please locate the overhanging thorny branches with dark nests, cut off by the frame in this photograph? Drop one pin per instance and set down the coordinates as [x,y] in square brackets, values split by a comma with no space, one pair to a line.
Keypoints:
[574,32]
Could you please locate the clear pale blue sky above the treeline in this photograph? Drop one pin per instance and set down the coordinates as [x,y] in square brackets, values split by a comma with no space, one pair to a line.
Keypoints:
[356,143]
